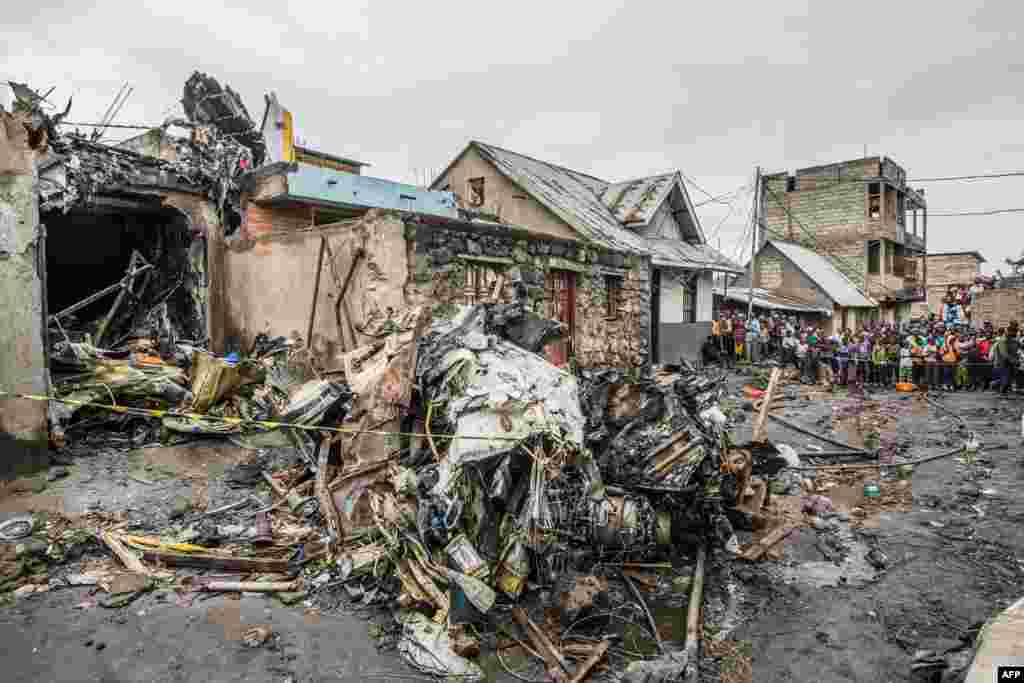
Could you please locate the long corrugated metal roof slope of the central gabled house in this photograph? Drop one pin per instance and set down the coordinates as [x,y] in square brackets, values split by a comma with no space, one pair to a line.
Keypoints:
[572,196]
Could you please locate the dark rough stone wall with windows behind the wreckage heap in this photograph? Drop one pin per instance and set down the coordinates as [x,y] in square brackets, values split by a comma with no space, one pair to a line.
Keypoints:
[445,251]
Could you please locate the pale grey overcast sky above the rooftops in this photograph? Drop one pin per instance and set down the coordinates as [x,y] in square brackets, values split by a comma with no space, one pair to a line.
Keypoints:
[616,90]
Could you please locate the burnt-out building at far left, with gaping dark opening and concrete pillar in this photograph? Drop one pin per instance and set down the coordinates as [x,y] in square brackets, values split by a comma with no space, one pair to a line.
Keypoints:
[108,242]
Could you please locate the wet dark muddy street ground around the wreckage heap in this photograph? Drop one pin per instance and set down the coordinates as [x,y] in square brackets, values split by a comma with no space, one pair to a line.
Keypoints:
[951,539]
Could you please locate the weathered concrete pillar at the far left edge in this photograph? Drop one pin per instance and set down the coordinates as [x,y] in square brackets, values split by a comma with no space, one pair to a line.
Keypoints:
[23,362]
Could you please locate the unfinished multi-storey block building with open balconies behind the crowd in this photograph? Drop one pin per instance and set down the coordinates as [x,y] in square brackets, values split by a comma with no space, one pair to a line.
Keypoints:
[865,218]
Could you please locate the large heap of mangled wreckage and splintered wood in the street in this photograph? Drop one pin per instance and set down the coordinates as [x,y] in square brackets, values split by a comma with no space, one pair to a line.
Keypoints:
[450,467]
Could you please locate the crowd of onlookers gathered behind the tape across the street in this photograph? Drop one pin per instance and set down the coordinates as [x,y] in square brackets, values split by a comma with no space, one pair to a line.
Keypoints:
[930,354]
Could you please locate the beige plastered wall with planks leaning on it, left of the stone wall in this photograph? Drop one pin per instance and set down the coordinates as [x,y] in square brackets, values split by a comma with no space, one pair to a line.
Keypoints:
[270,280]
